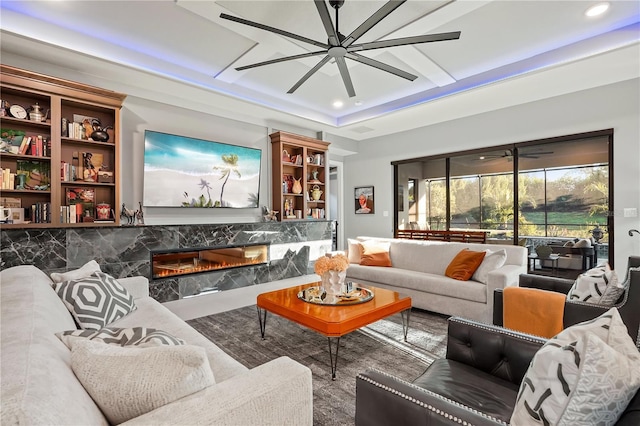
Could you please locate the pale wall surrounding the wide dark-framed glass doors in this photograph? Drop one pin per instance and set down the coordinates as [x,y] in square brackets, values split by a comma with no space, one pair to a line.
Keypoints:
[614,106]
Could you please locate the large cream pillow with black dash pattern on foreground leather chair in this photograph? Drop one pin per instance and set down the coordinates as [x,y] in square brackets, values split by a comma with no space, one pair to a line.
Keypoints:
[587,374]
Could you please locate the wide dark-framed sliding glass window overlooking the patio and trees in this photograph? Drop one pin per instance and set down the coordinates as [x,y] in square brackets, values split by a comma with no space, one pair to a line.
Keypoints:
[550,189]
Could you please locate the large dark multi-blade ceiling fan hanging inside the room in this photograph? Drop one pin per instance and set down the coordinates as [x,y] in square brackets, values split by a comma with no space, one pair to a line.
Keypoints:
[339,47]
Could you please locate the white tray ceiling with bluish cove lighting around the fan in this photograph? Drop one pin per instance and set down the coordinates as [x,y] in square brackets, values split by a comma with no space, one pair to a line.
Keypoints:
[187,41]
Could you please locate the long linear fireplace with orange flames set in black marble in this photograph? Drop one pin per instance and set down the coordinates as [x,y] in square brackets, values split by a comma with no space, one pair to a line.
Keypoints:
[180,262]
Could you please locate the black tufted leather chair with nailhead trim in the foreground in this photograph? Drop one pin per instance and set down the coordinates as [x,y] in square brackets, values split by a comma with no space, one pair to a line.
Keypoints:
[476,383]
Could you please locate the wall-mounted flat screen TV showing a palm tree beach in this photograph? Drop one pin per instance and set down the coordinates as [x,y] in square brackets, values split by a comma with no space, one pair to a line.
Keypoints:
[180,171]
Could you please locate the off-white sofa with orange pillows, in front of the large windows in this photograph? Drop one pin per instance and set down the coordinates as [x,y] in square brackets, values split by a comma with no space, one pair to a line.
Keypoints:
[418,270]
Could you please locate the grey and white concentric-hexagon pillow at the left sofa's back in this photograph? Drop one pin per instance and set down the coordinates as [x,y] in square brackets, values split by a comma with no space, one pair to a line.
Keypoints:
[95,301]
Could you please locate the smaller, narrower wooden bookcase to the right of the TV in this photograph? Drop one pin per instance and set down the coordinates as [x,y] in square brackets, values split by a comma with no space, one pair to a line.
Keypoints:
[300,174]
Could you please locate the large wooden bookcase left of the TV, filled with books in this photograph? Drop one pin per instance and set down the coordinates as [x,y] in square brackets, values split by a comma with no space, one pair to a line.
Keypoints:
[62,175]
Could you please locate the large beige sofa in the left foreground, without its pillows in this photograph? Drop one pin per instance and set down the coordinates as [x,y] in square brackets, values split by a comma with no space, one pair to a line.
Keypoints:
[40,387]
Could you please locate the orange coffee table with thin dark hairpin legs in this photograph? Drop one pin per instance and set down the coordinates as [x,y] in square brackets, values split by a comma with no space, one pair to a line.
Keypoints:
[333,321]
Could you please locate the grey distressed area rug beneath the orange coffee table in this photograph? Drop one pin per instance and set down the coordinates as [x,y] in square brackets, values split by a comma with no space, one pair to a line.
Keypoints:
[380,345]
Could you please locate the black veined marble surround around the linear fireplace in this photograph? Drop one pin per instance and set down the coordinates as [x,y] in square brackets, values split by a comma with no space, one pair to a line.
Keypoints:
[124,251]
